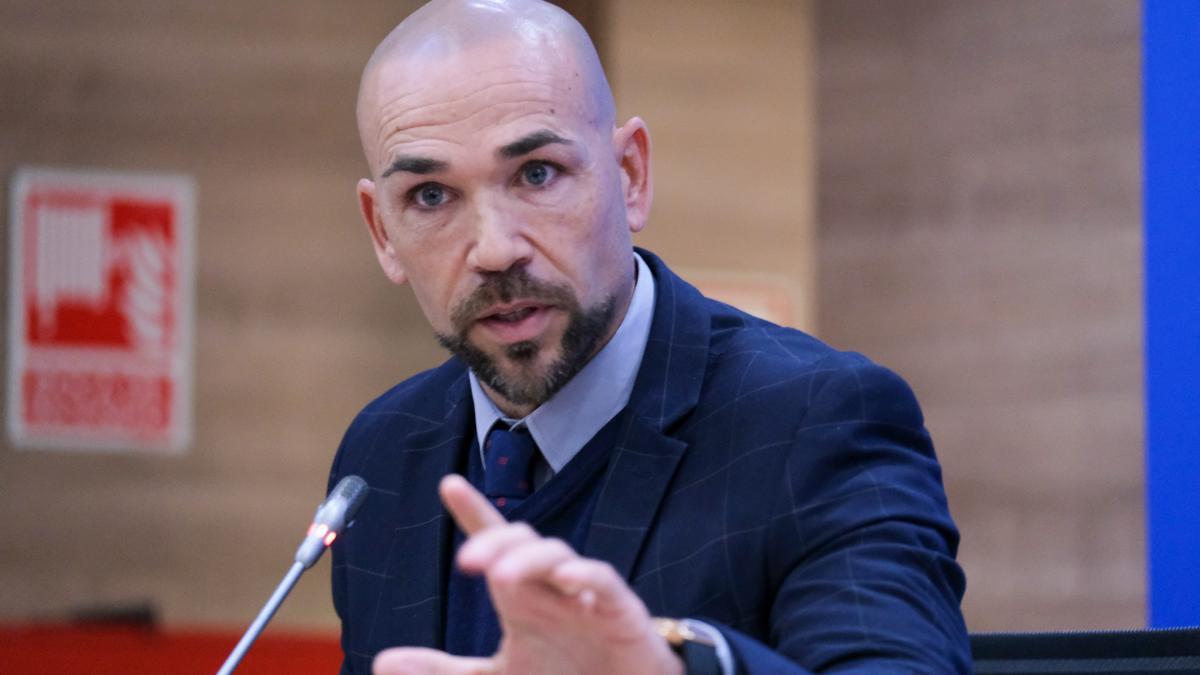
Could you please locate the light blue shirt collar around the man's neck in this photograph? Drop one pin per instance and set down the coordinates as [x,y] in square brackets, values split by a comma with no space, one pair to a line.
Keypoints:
[571,419]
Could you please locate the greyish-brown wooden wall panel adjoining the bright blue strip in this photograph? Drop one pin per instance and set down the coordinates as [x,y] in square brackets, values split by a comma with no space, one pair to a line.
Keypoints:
[981,234]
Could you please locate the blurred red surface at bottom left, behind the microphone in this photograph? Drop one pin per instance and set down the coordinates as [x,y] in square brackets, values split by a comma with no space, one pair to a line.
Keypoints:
[65,650]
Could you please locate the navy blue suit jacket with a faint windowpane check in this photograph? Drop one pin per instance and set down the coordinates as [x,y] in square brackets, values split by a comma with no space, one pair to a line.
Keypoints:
[779,489]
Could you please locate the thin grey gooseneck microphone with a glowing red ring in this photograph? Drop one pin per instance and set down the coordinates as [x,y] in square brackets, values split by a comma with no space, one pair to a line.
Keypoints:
[333,516]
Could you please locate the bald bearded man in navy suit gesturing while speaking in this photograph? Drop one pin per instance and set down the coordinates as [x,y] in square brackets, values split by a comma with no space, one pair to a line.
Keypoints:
[610,445]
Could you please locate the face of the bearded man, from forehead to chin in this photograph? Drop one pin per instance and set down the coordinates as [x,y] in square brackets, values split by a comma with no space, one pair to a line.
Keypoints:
[505,205]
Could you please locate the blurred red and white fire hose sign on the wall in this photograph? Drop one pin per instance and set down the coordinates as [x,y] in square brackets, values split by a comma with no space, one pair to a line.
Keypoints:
[100,310]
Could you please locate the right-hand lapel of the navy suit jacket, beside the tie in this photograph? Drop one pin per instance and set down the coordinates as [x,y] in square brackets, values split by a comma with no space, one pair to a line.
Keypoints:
[668,389]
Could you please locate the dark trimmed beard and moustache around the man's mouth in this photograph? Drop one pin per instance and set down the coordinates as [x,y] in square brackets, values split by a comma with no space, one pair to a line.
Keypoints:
[585,328]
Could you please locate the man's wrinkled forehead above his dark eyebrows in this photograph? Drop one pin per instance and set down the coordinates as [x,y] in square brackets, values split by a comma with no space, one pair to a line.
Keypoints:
[484,95]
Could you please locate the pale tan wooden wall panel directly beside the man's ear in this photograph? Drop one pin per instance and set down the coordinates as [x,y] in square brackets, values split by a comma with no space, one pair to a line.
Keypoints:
[727,89]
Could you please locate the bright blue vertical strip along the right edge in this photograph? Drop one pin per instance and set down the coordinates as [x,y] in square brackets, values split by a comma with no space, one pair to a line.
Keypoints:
[1172,81]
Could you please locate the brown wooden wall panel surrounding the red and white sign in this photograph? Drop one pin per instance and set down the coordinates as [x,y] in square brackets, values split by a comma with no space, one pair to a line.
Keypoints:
[296,326]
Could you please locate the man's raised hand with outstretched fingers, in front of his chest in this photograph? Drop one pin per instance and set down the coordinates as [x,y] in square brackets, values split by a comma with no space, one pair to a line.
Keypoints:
[560,612]
